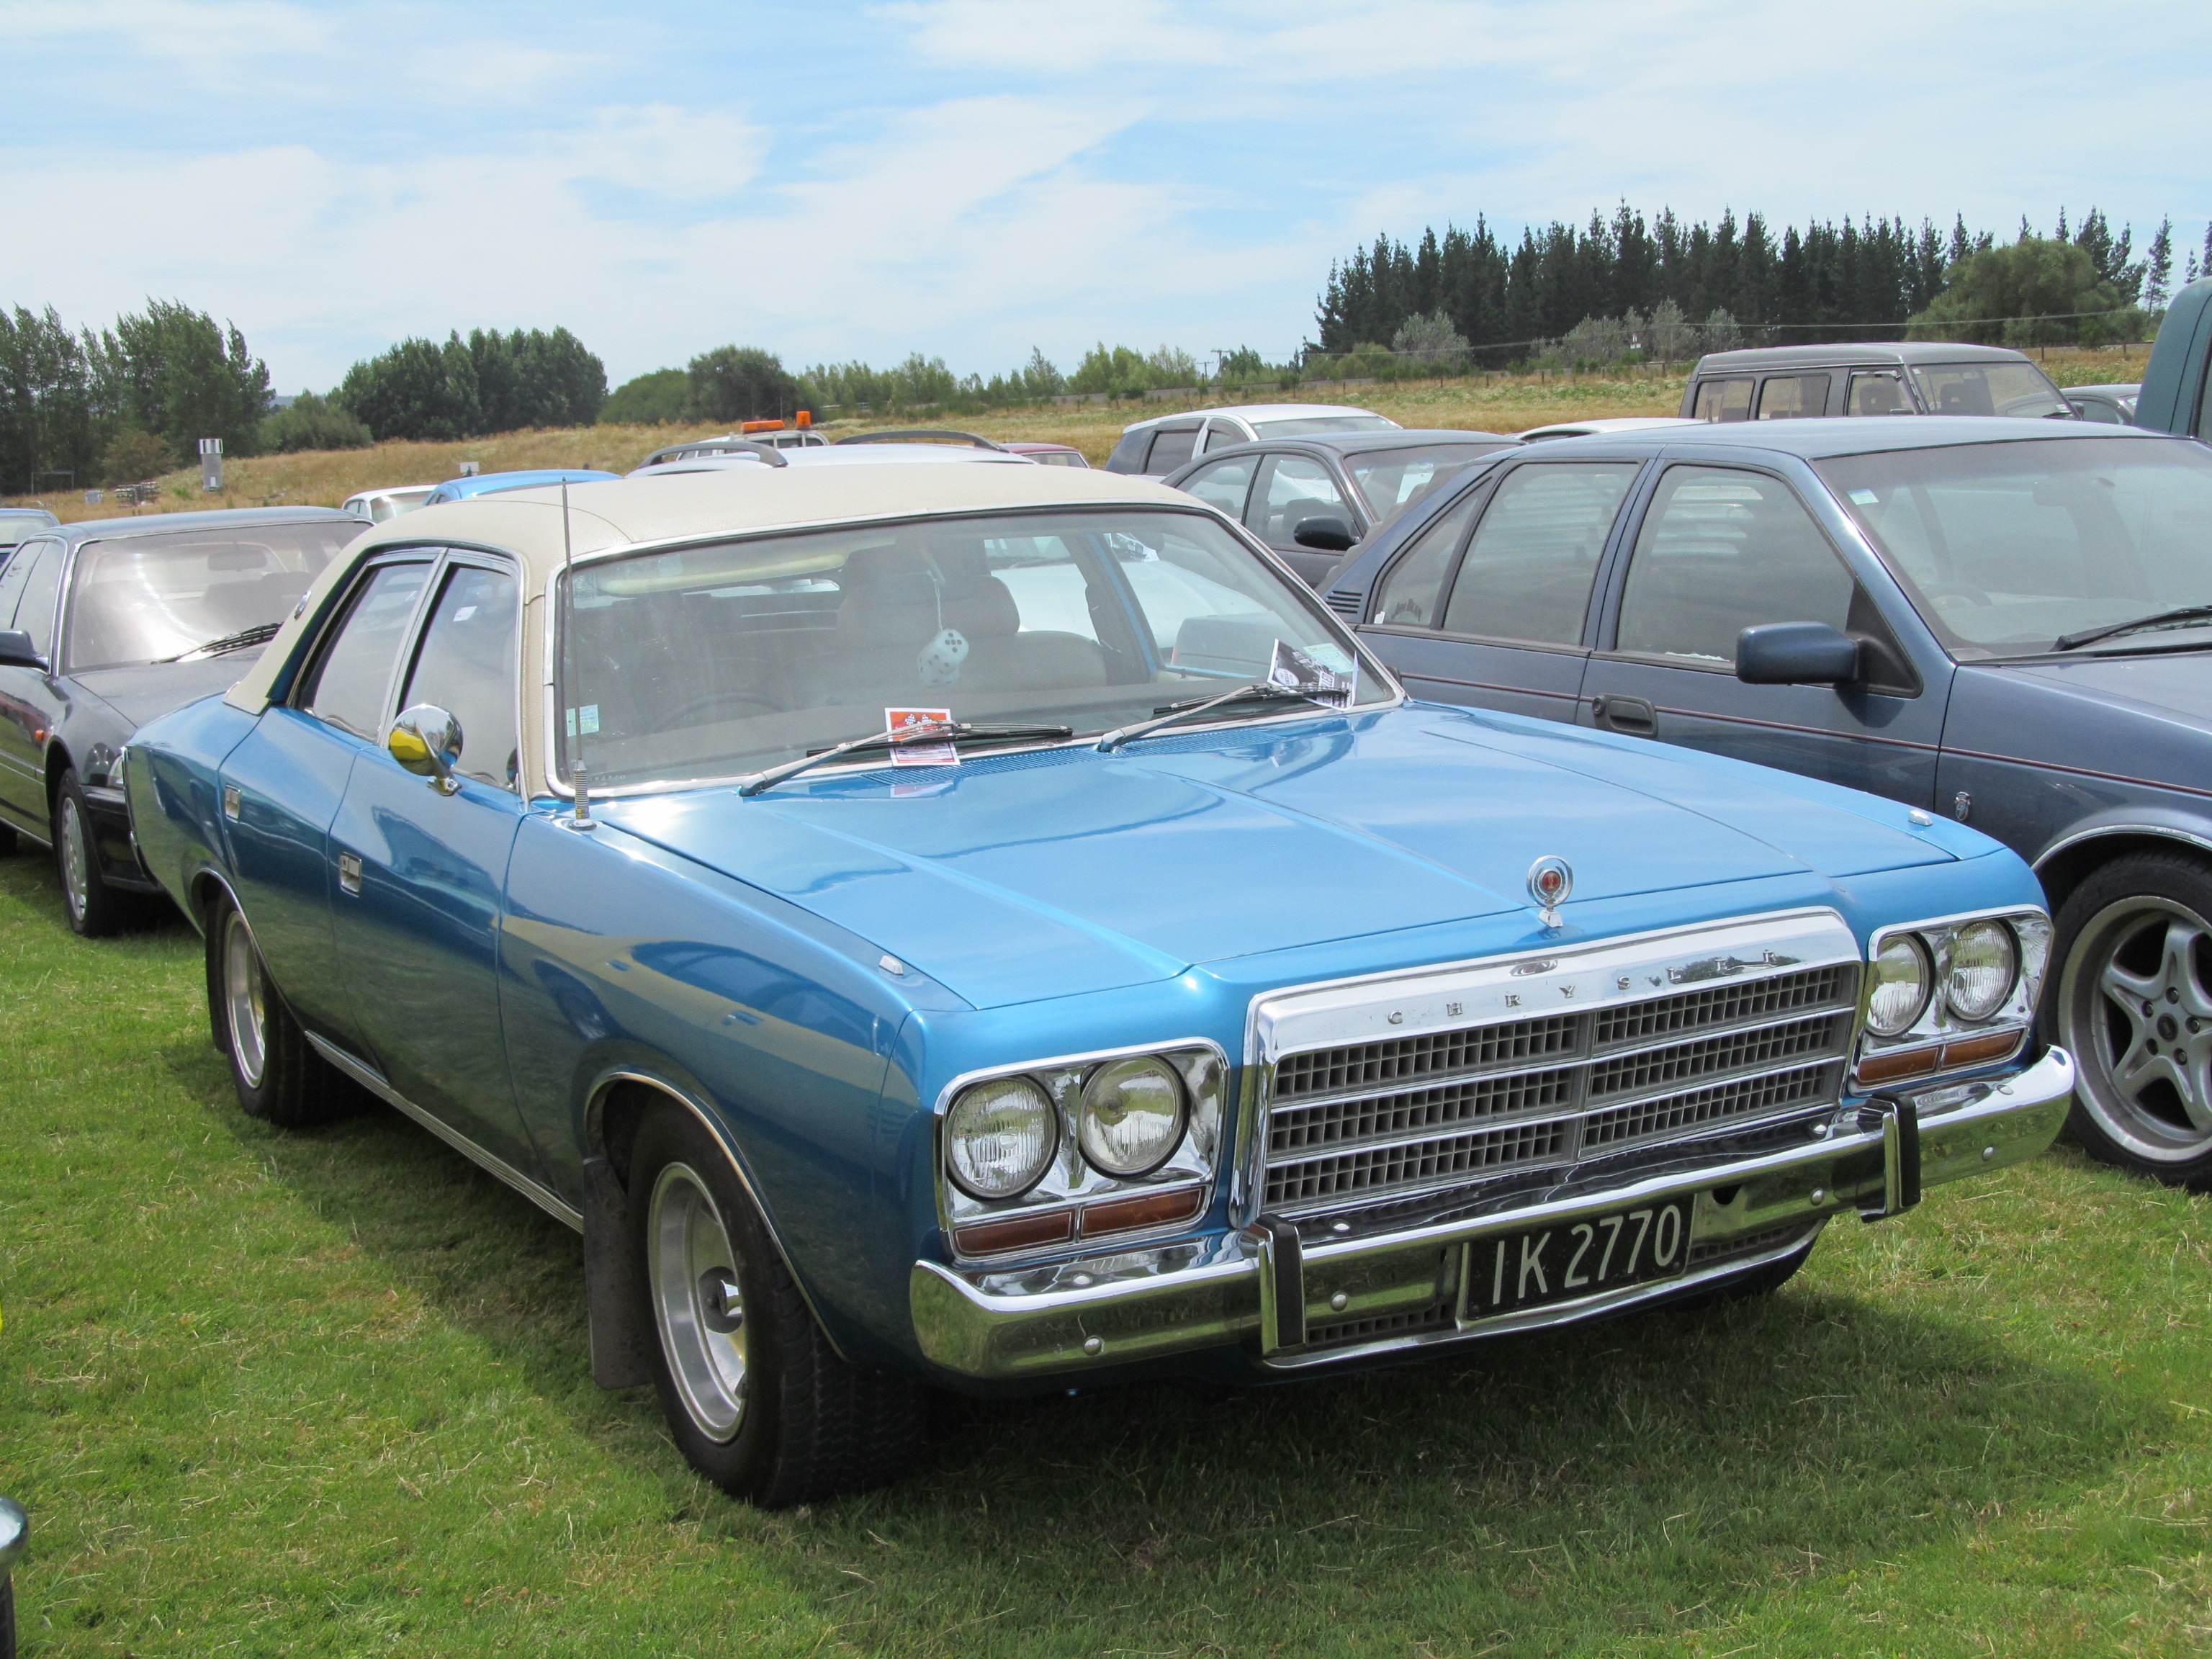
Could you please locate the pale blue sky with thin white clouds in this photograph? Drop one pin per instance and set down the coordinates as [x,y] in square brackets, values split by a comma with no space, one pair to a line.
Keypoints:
[972,178]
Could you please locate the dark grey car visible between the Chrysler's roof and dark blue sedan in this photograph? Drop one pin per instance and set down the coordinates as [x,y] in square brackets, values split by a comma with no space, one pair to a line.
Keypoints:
[1315,497]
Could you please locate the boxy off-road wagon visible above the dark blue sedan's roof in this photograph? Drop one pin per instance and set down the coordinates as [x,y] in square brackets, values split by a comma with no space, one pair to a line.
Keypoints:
[1897,379]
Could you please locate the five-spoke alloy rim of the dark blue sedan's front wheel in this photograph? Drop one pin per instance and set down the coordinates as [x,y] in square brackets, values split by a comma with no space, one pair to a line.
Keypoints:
[2136,1008]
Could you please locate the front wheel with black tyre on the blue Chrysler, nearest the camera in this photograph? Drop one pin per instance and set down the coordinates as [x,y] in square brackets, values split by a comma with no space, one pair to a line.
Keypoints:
[764,1406]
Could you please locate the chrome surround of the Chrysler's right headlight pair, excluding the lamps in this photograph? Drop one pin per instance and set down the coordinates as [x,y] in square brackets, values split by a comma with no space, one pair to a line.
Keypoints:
[1926,1047]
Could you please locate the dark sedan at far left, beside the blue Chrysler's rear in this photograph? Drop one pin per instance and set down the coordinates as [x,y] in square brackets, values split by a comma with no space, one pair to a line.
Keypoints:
[112,623]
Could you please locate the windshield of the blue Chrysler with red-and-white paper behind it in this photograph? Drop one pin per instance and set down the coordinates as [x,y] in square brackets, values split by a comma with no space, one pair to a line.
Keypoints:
[731,658]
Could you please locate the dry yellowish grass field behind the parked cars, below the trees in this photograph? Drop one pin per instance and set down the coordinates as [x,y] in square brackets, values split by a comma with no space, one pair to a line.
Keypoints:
[1503,404]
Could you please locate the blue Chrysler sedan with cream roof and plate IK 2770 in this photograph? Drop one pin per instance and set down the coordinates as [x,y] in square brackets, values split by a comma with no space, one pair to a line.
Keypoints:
[992,928]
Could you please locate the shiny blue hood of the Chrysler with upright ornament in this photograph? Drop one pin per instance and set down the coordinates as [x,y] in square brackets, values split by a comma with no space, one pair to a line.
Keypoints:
[1056,873]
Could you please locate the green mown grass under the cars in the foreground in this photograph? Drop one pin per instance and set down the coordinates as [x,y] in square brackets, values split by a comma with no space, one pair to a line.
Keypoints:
[326,1395]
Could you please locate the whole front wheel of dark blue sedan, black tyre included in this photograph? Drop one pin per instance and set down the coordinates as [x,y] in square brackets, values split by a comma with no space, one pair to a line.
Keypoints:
[2131,997]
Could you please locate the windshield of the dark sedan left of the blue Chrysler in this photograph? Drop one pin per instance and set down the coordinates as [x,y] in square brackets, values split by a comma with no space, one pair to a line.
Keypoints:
[147,598]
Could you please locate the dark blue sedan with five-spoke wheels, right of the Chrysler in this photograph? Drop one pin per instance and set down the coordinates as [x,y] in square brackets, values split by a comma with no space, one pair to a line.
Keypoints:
[1996,620]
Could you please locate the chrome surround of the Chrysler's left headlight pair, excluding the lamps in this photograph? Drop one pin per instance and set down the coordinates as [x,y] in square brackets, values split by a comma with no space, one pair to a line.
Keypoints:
[1052,1215]
